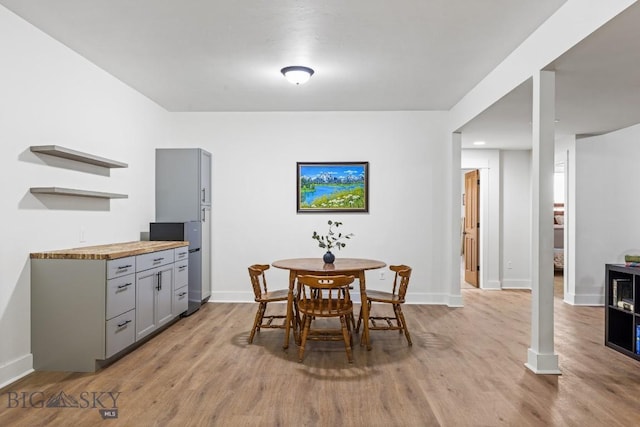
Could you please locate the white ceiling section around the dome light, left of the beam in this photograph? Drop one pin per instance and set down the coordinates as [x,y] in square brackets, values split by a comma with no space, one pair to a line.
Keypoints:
[198,55]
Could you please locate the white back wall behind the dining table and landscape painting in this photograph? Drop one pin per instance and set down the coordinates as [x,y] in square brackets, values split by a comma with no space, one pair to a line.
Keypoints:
[254,186]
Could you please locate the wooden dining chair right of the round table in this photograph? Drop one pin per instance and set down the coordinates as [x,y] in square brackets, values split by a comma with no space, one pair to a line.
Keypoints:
[396,297]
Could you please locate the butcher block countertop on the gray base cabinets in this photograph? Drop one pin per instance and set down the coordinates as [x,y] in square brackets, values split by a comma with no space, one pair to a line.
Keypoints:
[110,251]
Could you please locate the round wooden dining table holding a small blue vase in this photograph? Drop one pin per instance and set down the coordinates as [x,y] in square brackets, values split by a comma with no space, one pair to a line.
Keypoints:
[348,266]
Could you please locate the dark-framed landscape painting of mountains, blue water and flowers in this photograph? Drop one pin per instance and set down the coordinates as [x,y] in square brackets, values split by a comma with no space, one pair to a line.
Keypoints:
[333,187]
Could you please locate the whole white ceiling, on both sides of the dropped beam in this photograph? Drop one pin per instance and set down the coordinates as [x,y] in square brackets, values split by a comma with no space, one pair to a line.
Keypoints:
[199,55]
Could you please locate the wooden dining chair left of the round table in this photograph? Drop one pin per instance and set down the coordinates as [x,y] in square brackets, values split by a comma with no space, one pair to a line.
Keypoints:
[263,296]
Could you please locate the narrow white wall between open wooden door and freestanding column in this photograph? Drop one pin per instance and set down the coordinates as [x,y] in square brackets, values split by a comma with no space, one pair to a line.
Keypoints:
[516,219]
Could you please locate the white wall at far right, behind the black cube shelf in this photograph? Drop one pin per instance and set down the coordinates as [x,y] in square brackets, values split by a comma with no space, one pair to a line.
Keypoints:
[606,209]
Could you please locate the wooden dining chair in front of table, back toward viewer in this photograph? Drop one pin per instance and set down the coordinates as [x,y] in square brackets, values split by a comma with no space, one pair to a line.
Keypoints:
[324,297]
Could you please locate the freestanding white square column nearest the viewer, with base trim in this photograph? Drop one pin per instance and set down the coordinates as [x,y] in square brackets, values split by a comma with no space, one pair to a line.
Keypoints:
[541,357]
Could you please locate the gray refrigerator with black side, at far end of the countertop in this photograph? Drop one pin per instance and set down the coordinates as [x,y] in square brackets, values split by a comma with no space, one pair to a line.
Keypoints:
[190,231]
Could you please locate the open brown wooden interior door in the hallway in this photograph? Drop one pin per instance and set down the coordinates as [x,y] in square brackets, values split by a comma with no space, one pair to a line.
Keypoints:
[471,227]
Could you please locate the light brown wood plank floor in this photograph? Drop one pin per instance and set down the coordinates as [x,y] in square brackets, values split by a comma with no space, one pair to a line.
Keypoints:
[466,368]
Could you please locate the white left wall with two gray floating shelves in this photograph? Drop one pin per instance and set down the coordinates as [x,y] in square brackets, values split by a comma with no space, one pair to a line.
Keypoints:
[50,95]
